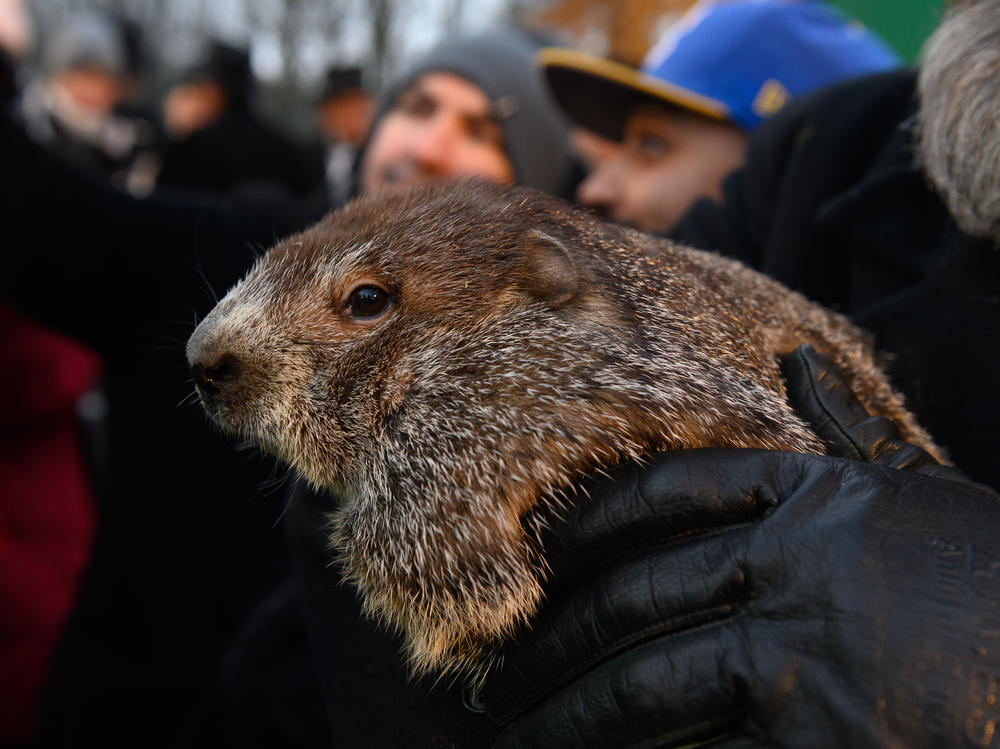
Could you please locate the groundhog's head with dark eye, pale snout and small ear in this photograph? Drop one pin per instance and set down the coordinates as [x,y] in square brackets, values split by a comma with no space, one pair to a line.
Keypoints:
[314,353]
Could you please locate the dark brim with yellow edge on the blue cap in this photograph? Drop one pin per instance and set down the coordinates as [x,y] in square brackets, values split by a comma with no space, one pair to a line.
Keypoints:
[598,94]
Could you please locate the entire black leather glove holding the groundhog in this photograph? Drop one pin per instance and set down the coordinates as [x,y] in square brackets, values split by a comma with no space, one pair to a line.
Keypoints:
[760,598]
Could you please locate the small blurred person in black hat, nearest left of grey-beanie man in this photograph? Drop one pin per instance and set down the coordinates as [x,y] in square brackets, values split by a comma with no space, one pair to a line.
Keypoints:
[343,114]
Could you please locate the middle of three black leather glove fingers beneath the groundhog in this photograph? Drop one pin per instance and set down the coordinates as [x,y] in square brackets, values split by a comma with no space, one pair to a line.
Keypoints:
[641,598]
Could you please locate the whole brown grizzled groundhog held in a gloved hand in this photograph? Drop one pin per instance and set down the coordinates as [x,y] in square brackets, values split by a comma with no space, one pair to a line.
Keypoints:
[449,361]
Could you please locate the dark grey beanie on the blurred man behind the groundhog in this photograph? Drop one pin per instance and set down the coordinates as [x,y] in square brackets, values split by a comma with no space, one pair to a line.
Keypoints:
[502,64]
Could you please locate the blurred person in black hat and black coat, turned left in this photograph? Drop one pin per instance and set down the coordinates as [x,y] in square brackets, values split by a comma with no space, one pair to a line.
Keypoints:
[217,141]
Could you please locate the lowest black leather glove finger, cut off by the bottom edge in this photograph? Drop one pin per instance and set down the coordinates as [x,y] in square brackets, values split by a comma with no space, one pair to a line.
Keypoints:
[672,691]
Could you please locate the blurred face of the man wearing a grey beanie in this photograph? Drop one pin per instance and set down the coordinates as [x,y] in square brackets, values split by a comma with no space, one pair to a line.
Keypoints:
[441,126]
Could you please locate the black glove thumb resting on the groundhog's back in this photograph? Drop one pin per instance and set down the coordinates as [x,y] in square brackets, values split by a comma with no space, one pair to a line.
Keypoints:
[821,396]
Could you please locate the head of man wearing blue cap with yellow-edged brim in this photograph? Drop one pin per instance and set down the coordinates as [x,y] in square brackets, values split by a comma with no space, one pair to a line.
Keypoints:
[684,117]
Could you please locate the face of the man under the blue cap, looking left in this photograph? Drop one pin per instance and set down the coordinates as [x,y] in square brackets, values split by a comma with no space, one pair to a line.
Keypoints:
[668,160]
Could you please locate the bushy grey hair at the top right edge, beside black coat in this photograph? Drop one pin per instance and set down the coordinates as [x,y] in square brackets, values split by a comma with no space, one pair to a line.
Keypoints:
[959,88]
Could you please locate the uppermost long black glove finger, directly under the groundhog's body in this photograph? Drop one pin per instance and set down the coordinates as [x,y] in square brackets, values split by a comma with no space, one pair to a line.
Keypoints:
[679,495]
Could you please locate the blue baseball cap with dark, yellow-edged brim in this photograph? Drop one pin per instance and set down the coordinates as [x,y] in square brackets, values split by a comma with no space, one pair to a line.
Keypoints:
[732,60]
